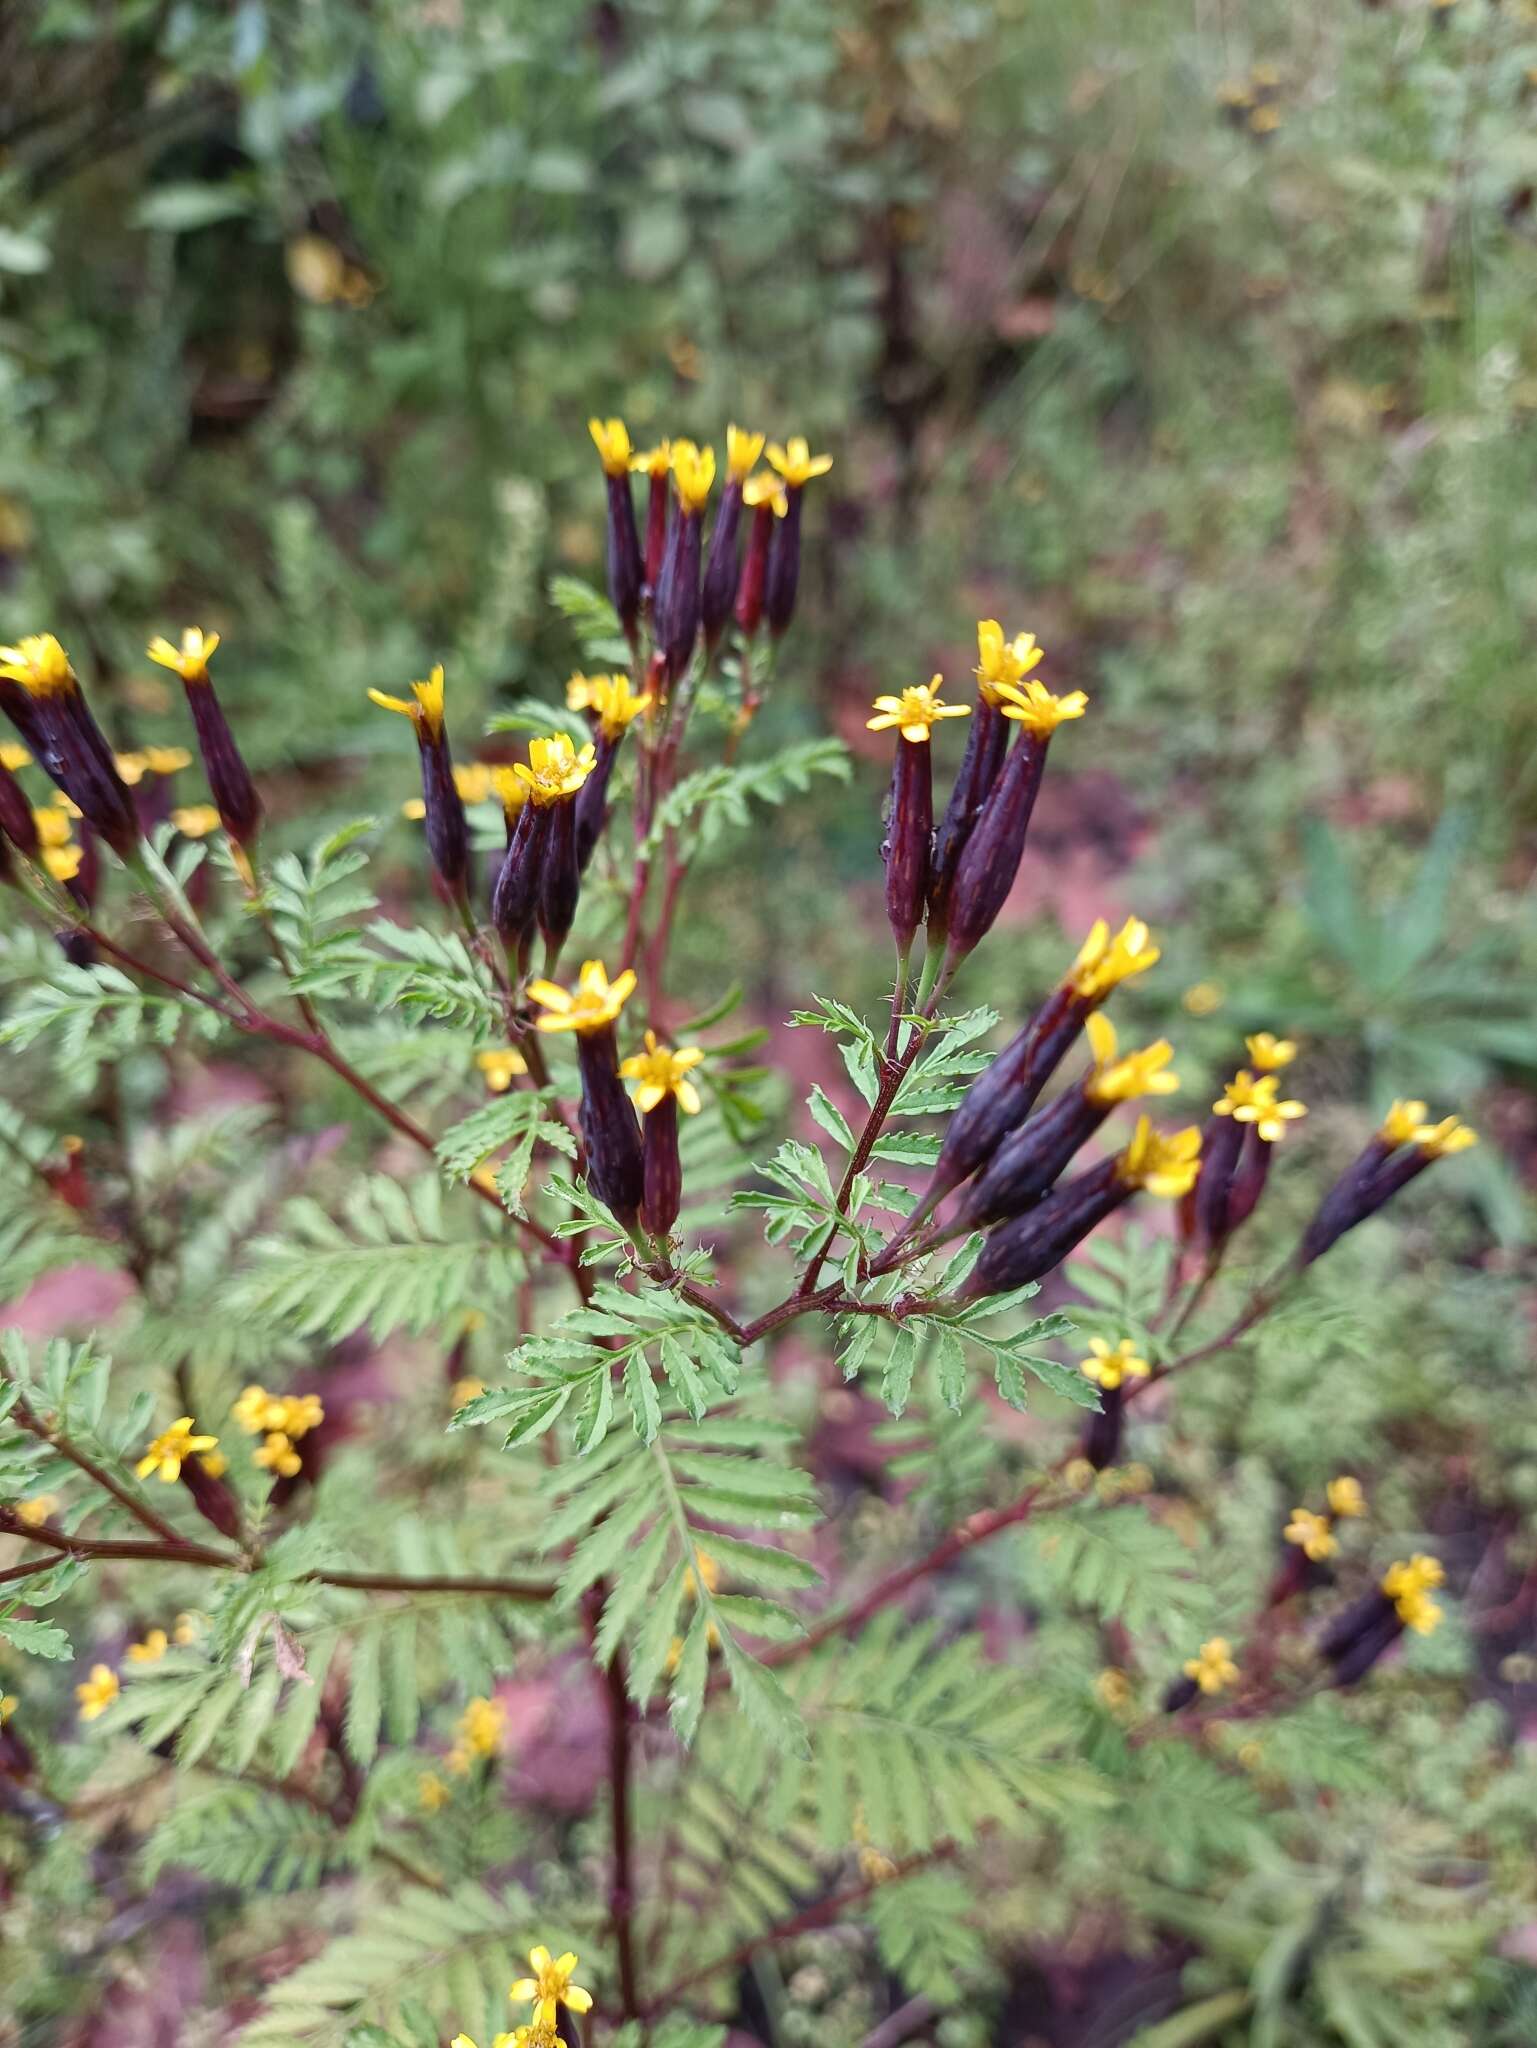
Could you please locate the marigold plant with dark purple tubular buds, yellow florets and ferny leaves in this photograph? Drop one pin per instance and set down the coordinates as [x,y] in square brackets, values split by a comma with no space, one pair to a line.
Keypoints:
[610,1494]
